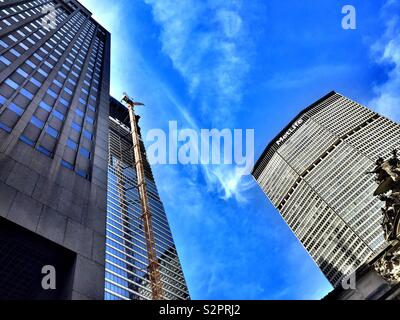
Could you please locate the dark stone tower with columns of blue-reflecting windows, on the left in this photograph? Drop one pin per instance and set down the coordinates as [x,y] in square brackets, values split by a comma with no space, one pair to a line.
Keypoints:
[54,108]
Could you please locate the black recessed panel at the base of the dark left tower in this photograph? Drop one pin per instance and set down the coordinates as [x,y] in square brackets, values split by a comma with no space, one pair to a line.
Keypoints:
[23,254]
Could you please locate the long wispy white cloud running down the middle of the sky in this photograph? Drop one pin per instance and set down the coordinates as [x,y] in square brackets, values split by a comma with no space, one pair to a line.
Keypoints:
[210,54]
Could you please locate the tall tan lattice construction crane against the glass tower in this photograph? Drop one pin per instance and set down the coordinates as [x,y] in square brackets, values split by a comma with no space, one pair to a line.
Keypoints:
[154,267]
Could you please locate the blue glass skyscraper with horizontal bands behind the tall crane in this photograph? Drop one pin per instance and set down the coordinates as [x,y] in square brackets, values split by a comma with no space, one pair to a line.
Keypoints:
[127,276]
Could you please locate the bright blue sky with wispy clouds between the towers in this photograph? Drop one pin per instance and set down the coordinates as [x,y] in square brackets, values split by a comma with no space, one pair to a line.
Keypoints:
[245,65]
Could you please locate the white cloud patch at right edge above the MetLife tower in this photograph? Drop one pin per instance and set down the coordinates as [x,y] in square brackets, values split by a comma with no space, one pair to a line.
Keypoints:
[387,52]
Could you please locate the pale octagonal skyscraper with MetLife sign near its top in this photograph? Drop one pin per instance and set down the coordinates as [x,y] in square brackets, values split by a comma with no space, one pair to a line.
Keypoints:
[314,173]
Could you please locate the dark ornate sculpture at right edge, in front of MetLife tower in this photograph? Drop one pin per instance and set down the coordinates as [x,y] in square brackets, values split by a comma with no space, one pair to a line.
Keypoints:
[388,177]
